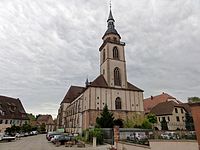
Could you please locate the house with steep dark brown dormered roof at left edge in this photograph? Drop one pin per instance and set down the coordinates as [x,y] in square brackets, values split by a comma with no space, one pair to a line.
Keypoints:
[11,113]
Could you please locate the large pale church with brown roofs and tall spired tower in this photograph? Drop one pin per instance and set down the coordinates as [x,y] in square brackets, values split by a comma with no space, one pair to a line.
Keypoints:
[82,105]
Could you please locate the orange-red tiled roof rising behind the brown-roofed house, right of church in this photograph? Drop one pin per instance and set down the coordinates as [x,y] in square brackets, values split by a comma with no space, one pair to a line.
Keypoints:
[152,101]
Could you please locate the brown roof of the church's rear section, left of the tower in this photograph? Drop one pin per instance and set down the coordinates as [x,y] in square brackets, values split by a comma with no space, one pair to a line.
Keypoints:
[72,93]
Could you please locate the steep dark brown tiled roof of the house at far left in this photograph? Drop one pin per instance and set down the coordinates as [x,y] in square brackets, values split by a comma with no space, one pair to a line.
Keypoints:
[11,108]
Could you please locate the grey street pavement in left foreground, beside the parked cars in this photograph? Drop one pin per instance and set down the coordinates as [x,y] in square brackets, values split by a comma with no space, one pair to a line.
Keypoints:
[39,142]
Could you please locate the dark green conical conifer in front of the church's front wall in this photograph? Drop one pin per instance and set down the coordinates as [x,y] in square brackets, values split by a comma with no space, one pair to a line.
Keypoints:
[106,120]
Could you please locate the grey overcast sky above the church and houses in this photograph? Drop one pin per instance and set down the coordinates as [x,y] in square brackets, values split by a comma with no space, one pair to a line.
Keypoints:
[48,45]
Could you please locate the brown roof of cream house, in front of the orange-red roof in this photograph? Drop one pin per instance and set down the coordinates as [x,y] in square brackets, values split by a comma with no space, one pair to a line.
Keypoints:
[165,108]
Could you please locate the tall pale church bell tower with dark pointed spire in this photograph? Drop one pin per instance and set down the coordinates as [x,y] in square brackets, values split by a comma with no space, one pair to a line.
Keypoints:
[112,56]
